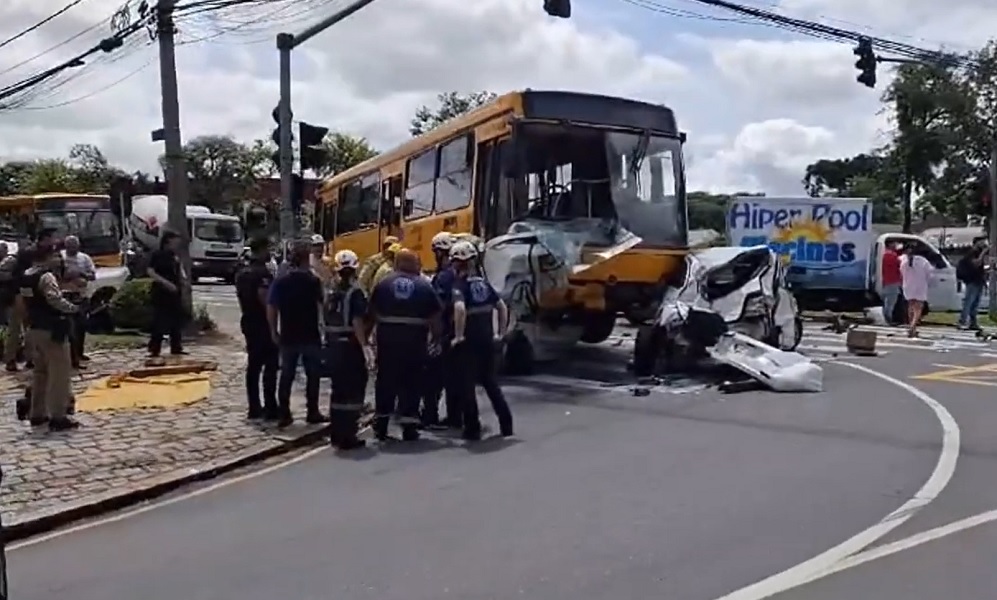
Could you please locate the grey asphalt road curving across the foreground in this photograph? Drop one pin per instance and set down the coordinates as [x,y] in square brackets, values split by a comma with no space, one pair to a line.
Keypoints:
[683,494]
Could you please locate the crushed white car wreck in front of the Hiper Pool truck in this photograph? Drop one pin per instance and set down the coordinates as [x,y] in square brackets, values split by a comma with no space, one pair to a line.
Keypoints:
[729,289]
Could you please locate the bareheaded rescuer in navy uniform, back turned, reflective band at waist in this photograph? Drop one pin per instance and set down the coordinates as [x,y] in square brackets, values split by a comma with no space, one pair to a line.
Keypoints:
[405,311]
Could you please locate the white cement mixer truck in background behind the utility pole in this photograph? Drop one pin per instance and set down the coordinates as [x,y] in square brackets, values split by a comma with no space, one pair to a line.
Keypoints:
[216,240]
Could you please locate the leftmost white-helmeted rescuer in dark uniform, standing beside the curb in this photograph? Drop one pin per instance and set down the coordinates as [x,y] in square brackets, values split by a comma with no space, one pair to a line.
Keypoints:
[348,351]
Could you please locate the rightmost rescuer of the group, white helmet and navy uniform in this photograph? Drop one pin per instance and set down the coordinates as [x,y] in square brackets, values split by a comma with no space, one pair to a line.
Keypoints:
[474,301]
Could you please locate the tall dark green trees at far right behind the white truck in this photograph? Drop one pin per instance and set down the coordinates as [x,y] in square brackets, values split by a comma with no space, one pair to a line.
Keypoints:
[942,126]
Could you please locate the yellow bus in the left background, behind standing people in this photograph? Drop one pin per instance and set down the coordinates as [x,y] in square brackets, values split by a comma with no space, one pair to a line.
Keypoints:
[86,216]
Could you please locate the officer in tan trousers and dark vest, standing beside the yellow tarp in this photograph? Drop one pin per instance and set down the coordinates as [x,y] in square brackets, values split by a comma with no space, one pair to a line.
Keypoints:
[49,326]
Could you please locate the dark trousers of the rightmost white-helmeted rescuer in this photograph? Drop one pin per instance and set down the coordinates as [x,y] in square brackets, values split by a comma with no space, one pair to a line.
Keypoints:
[475,362]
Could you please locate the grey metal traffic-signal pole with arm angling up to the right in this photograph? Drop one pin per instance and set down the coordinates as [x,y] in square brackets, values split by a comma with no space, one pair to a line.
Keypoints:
[286,42]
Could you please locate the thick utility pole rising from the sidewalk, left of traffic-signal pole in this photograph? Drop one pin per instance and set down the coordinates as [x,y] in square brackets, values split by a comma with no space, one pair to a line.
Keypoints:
[176,166]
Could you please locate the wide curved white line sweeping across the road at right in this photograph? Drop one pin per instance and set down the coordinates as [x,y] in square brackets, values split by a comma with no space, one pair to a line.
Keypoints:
[822,564]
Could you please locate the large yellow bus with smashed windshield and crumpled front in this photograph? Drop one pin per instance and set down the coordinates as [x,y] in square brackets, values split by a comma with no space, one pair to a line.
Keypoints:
[545,156]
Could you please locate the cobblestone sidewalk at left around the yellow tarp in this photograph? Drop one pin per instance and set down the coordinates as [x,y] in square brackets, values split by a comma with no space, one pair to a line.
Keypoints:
[122,451]
